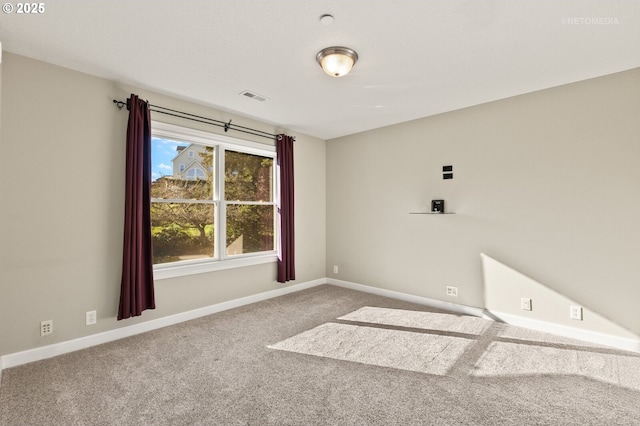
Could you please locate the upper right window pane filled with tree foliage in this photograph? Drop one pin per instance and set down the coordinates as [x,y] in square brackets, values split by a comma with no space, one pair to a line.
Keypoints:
[248,177]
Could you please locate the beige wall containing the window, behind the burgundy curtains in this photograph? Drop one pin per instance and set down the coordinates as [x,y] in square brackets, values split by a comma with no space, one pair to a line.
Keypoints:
[61,223]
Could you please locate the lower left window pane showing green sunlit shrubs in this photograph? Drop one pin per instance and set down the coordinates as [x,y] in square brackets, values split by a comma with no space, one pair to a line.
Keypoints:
[181,231]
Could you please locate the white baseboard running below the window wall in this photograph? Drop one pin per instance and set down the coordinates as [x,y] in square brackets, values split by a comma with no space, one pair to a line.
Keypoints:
[37,354]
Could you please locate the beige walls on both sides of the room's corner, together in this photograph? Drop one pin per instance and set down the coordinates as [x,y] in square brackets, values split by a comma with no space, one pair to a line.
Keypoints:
[545,186]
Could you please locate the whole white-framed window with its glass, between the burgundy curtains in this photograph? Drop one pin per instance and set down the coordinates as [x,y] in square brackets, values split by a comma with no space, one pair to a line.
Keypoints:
[219,211]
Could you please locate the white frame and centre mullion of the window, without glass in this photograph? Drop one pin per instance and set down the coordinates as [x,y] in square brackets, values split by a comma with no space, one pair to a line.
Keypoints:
[220,143]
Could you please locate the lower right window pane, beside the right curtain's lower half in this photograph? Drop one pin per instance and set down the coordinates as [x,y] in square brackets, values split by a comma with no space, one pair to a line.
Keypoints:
[249,228]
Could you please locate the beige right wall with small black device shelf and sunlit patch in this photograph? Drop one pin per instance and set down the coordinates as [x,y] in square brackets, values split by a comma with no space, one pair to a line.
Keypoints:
[546,184]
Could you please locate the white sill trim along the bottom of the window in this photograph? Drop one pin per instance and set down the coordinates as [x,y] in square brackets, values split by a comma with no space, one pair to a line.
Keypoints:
[170,271]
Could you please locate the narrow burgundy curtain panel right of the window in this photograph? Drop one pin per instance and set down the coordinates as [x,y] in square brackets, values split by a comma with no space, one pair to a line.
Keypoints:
[286,250]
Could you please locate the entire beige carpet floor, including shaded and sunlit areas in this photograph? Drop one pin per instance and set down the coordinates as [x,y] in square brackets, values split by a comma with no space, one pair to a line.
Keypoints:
[369,360]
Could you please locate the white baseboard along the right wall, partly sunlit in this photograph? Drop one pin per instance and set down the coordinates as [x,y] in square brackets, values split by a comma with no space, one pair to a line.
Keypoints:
[627,344]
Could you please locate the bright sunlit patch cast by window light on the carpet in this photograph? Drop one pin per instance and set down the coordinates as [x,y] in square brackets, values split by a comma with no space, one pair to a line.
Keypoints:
[358,338]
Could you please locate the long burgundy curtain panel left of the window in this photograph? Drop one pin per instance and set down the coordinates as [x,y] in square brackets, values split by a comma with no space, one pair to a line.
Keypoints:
[136,292]
